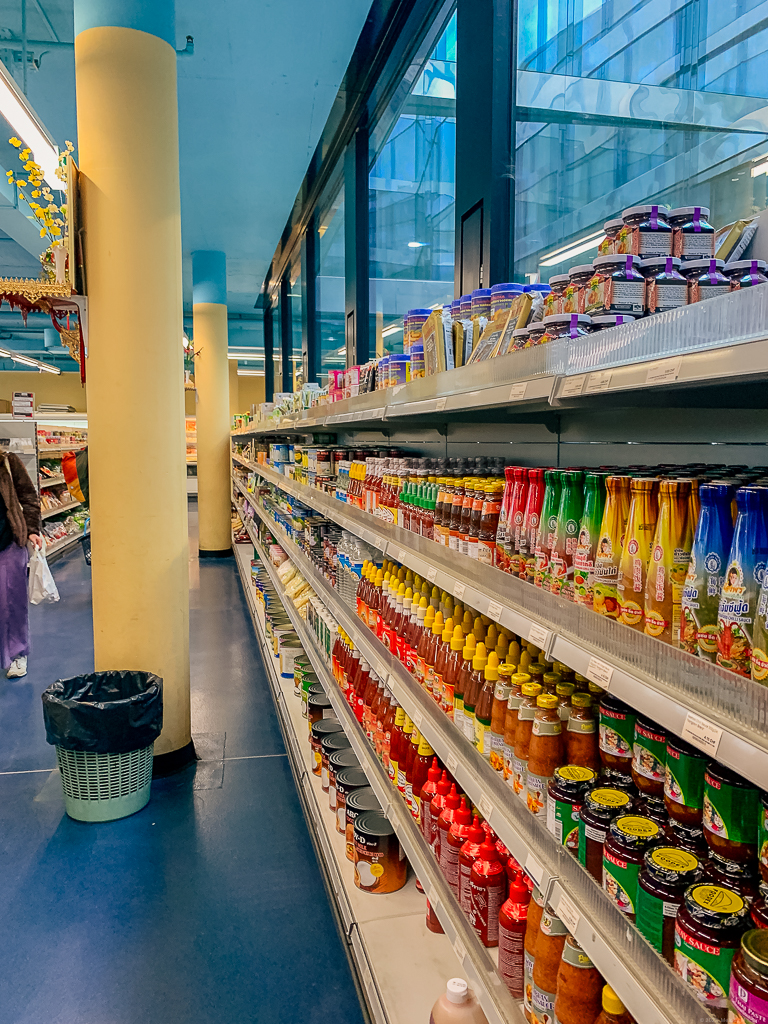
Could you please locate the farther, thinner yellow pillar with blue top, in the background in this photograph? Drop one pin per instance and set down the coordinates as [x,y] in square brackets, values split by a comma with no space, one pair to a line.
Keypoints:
[212,383]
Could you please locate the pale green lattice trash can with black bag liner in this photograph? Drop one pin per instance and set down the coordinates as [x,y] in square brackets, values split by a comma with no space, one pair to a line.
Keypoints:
[104,728]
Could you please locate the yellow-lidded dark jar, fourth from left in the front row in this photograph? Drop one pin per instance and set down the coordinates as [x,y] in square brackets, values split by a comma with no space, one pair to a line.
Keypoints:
[666,875]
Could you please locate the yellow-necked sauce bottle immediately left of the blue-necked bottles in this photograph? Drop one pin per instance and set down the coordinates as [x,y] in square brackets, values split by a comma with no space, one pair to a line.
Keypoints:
[669,563]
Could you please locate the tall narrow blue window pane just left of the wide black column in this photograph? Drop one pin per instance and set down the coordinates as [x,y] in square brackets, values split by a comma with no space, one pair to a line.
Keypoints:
[412,200]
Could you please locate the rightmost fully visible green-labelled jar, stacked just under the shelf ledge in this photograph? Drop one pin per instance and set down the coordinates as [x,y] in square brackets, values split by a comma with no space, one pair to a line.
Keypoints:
[731,814]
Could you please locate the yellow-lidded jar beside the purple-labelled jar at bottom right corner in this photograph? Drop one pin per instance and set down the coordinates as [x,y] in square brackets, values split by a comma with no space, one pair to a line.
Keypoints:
[708,933]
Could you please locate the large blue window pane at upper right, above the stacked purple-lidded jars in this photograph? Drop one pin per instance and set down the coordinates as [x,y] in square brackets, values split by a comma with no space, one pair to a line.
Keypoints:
[630,103]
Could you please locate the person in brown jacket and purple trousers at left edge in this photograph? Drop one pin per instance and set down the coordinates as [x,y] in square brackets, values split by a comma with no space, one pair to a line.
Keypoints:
[20,523]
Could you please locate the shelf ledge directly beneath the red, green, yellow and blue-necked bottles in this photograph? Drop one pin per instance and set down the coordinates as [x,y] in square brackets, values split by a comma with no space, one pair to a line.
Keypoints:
[717,711]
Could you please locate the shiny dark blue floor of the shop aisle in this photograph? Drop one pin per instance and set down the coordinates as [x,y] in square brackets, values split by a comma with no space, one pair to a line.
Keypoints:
[208,908]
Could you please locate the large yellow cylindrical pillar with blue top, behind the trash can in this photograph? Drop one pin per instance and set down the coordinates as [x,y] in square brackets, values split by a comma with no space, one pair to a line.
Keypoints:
[125,66]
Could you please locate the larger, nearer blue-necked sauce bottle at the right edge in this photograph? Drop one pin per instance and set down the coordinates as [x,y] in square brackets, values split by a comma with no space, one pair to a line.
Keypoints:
[740,596]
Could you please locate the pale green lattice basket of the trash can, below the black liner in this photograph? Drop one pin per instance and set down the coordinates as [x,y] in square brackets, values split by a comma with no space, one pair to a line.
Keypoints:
[105,787]
